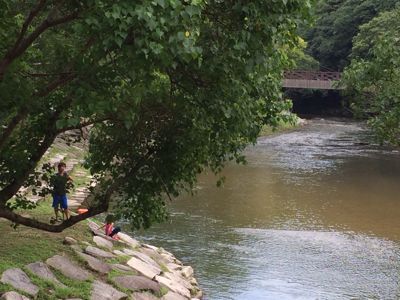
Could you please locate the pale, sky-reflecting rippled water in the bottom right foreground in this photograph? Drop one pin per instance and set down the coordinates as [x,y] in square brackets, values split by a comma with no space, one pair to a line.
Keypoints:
[318,265]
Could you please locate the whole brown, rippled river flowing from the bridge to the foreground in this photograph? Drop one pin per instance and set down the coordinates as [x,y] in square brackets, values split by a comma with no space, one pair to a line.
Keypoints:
[315,214]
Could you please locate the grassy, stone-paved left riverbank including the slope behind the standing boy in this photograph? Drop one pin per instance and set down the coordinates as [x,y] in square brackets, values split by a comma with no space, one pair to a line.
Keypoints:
[126,269]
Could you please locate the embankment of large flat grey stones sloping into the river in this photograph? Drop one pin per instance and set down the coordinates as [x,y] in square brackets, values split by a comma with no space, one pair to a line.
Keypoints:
[115,270]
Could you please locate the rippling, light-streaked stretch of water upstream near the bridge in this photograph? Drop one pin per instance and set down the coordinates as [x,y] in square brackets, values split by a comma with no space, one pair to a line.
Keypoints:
[318,147]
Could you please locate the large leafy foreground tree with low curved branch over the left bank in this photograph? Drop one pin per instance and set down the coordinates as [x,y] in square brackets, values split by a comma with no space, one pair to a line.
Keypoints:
[168,87]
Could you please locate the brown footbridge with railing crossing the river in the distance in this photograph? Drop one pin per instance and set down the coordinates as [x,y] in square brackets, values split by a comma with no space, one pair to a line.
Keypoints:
[299,79]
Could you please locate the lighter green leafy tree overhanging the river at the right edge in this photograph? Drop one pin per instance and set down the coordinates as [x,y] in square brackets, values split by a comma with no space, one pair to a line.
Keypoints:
[373,77]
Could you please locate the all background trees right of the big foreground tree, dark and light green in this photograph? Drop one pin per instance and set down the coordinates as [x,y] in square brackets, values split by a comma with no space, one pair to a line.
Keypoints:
[362,39]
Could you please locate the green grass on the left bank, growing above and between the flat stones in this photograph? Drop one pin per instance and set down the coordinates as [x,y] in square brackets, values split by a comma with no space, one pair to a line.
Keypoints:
[25,245]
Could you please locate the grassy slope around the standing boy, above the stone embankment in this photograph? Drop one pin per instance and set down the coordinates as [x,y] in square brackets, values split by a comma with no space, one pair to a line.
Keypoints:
[25,245]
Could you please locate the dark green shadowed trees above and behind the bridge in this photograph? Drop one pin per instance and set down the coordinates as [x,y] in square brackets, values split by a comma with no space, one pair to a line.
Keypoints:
[337,23]
